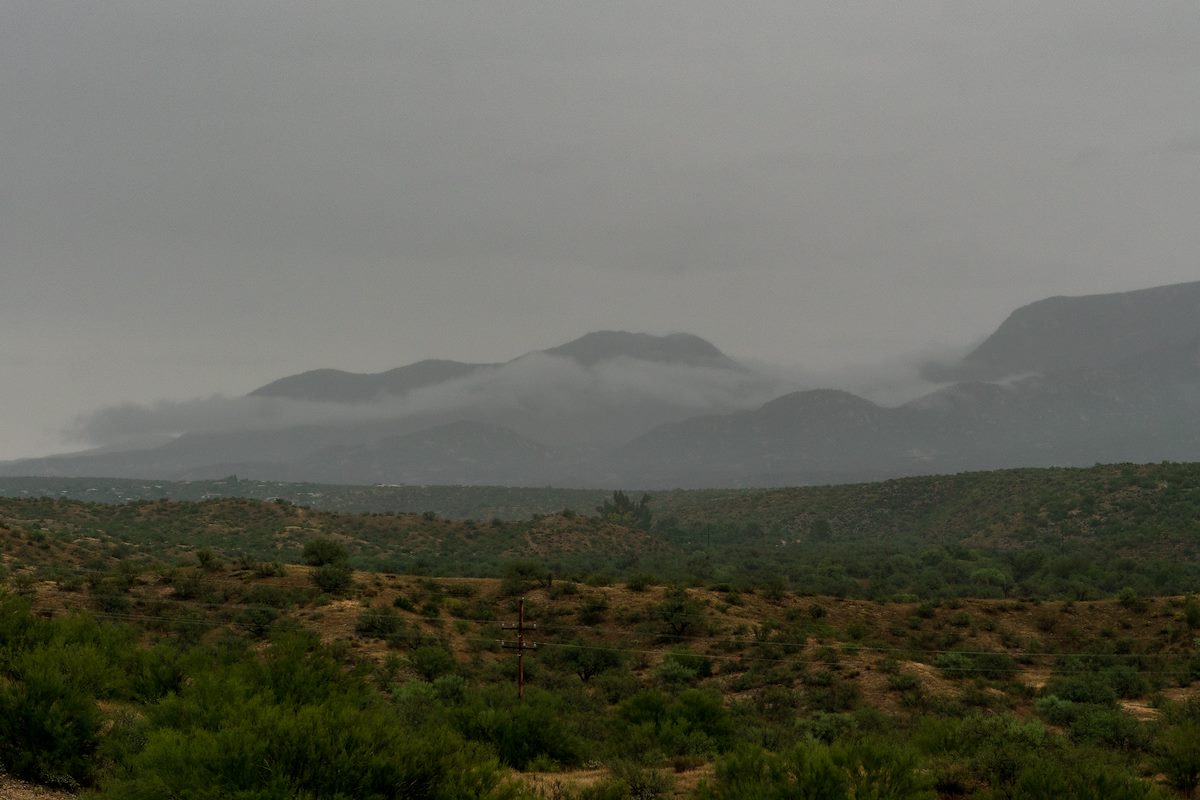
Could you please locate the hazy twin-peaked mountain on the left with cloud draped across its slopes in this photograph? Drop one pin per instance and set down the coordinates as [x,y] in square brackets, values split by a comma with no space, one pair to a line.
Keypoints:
[518,423]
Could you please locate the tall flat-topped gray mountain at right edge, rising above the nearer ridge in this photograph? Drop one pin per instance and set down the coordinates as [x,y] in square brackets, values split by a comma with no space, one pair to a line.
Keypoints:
[1085,333]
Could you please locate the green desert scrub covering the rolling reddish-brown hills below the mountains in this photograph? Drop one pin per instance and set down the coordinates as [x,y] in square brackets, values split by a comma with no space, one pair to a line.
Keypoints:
[970,645]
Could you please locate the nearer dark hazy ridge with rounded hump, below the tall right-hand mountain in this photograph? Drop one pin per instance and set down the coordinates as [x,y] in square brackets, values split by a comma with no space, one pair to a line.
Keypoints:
[1142,411]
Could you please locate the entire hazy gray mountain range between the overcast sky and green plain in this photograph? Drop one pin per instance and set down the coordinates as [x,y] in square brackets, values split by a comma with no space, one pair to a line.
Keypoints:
[1064,382]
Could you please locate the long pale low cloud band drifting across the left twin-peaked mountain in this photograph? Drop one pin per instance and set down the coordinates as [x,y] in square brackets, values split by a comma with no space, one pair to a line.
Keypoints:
[557,393]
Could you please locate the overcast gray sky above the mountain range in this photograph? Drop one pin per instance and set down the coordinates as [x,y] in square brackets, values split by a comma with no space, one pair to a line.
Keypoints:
[201,197]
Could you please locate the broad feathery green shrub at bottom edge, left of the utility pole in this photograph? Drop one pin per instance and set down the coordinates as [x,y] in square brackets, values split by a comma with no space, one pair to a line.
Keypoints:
[335,749]
